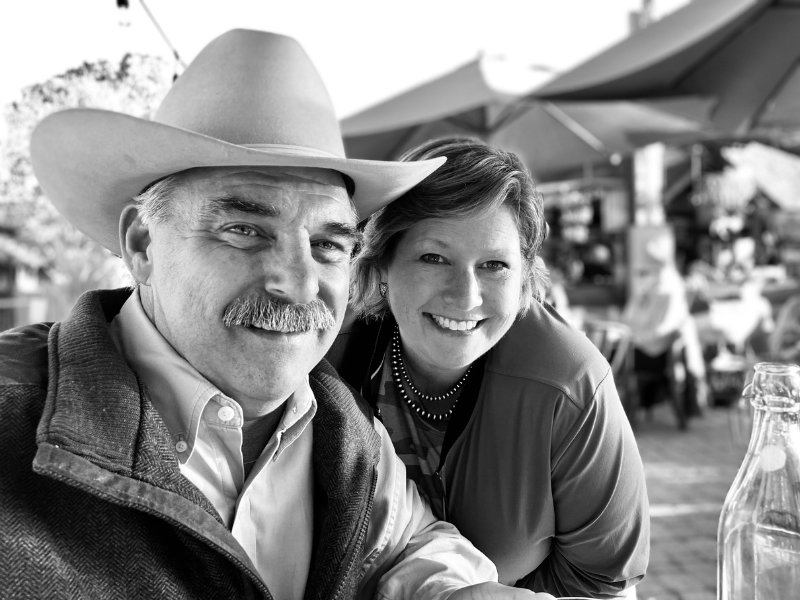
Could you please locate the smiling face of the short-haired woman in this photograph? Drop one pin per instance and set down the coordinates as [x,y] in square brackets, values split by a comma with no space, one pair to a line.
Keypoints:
[454,286]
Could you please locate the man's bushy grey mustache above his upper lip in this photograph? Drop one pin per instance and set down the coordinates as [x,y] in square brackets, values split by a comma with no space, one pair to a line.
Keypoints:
[273,314]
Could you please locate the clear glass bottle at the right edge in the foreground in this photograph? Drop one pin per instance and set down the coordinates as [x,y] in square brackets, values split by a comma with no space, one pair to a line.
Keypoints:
[758,541]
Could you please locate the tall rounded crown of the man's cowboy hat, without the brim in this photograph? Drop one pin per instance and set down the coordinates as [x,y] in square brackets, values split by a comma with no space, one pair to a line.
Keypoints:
[253,87]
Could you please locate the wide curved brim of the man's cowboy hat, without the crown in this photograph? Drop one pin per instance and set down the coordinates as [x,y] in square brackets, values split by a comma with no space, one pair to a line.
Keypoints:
[91,162]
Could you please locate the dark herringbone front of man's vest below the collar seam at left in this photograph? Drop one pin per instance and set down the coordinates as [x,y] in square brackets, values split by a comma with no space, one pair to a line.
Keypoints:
[58,541]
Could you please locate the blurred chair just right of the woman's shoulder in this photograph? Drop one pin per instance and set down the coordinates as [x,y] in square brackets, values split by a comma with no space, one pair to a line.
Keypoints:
[615,342]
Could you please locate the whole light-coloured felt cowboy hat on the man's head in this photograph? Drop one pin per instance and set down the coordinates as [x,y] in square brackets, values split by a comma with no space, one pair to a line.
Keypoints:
[249,98]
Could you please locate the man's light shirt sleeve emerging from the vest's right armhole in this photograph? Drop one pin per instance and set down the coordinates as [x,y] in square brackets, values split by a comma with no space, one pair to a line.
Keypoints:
[408,553]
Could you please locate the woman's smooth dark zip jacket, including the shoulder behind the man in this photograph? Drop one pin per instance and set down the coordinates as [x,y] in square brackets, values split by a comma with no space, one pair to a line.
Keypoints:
[539,465]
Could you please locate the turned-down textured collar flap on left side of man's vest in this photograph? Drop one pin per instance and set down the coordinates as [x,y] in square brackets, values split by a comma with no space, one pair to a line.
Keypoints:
[97,407]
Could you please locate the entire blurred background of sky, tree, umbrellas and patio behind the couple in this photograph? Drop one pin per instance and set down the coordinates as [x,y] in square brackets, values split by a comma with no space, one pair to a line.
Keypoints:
[664,136]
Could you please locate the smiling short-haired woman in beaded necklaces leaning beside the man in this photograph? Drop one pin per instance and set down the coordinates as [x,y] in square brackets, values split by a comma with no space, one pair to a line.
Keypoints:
[506,417]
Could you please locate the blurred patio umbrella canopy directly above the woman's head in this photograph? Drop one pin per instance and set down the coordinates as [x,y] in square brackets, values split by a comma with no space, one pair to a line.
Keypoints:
[551,137]
